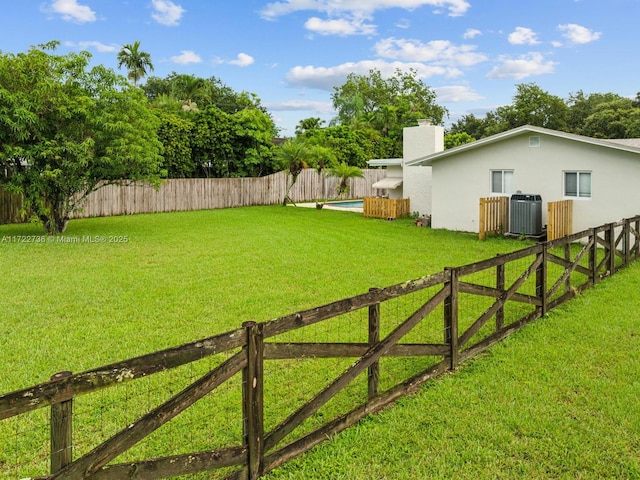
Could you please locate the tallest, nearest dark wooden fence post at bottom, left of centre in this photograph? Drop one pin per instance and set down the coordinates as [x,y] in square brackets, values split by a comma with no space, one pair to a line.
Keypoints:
[253,399]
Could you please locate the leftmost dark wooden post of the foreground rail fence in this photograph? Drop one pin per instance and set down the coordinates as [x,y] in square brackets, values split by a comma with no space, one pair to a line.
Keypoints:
[61,425]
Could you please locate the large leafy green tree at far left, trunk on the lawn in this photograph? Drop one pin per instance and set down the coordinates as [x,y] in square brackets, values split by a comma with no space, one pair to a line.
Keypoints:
[67,130]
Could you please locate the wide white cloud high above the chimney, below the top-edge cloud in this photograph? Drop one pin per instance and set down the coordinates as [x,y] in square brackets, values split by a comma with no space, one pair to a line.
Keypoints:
[439,52]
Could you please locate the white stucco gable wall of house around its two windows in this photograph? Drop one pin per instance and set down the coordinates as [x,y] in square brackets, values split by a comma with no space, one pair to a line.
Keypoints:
[459,181]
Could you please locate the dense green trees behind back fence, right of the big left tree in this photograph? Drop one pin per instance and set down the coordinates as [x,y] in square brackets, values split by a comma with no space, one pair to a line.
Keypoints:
[209,130]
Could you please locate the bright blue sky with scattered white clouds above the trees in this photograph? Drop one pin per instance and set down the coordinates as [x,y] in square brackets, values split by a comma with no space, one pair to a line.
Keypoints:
[291,53]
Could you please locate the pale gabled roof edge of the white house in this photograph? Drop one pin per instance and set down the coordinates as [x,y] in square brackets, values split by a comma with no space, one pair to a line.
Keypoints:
[630,145]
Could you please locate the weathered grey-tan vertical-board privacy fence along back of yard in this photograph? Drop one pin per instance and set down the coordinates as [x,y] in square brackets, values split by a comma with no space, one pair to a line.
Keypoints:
[206,193]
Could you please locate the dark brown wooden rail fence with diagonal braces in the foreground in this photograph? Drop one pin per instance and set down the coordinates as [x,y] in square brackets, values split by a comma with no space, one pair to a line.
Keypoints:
[433,324]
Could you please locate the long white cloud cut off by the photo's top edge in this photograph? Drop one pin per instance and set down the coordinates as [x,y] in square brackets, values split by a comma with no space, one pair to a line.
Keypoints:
[338,7]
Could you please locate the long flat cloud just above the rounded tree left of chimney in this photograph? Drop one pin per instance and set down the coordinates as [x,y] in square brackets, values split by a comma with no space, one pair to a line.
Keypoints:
[325,78]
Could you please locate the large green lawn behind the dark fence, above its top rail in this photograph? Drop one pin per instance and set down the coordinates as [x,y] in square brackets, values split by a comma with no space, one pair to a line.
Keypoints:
[184,276]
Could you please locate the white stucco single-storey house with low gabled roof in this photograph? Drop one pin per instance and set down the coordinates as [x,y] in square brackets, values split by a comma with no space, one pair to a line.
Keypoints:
[600,176]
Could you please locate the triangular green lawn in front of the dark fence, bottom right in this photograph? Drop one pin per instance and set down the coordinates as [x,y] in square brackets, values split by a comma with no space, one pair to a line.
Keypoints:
[559,399]
